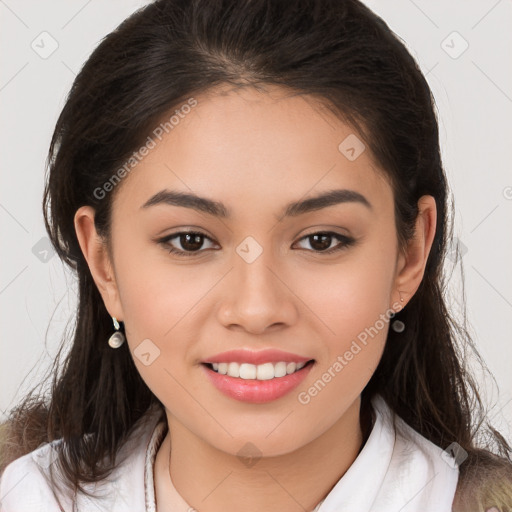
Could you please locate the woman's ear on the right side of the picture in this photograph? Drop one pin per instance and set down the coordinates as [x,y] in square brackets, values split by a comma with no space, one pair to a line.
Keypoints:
[413,260]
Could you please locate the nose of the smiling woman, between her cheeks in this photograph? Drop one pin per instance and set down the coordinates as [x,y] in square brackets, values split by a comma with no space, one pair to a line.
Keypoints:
[256,298]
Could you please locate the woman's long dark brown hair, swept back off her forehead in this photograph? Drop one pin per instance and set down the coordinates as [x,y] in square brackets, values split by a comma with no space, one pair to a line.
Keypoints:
[335,50]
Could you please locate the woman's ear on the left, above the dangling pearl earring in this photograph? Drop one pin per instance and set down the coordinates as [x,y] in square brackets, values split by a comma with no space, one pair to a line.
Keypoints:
[95,251]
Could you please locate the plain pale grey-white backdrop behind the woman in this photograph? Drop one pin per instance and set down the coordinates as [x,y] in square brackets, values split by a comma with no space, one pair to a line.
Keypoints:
[463,47]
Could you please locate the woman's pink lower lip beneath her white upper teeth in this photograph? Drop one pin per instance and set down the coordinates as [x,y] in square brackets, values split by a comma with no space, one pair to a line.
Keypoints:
[253,390]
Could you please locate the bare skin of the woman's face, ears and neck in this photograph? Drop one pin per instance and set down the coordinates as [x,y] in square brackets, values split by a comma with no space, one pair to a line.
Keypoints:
[255,151]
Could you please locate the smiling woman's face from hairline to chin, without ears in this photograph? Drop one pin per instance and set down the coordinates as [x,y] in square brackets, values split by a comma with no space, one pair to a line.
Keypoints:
[255,278]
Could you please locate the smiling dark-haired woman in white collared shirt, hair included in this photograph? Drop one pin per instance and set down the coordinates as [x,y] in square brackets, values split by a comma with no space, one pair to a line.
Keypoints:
[252,195]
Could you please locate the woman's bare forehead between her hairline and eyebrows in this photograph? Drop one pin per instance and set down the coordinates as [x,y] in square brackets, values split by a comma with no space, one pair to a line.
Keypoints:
[251,147]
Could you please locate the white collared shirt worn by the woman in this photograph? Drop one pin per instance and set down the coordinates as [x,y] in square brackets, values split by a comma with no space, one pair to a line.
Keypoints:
[397,469]
